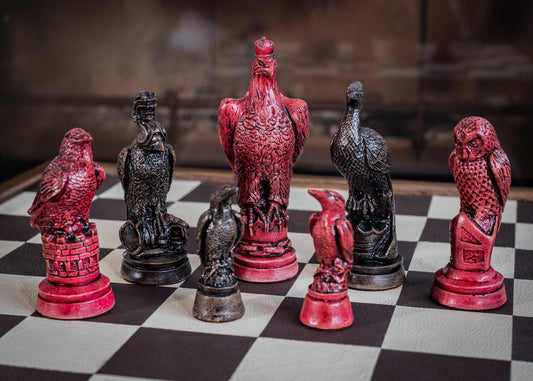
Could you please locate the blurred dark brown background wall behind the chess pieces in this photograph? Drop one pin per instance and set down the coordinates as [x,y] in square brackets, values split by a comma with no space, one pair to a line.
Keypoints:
[424,64]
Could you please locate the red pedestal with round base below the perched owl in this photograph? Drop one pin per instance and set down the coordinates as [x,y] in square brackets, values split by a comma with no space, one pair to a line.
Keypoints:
[469,282]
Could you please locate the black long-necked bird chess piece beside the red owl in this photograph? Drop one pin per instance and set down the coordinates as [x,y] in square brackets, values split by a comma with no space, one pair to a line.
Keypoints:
[361,155]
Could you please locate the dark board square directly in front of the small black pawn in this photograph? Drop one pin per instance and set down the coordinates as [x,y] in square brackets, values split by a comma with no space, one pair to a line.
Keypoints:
[158,353]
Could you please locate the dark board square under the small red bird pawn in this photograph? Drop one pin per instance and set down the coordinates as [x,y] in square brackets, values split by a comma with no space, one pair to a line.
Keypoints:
[369,327]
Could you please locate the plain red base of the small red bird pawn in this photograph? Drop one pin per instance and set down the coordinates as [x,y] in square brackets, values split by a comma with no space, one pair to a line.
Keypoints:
[327,311]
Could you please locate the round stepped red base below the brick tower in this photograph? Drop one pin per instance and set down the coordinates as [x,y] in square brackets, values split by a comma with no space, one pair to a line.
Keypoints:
[75,302]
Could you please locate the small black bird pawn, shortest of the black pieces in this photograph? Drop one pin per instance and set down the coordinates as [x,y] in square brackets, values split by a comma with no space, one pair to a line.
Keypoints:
[219,229]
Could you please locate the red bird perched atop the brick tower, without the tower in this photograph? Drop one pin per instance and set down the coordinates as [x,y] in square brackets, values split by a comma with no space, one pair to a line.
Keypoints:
[67,187]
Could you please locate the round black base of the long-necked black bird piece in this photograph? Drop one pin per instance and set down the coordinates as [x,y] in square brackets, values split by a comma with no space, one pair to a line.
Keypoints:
[376,276]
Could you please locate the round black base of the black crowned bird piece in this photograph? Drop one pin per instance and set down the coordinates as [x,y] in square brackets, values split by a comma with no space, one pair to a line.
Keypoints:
[156,270]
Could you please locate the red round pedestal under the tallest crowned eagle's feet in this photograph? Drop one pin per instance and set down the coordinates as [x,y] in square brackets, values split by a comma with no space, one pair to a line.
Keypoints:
[265,257]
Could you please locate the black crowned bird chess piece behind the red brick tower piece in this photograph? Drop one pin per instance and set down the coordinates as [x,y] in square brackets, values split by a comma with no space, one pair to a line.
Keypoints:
[154,239]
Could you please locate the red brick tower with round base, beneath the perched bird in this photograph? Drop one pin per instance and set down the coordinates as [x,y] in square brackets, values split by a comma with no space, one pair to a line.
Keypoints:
[74,287]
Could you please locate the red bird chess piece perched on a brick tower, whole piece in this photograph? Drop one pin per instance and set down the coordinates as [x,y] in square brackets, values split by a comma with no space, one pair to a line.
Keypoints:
[74,287]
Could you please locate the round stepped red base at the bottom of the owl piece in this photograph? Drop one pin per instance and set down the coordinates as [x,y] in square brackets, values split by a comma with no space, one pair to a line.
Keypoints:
[469,290]
